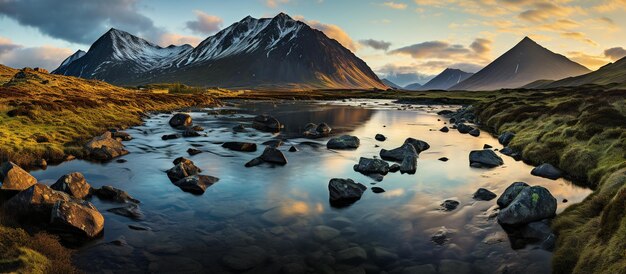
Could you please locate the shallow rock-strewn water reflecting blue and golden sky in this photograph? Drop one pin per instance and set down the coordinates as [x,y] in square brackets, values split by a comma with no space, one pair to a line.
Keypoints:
[261,218]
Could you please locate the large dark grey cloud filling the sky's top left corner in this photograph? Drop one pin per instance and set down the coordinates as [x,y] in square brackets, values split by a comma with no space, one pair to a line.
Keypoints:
[80,21]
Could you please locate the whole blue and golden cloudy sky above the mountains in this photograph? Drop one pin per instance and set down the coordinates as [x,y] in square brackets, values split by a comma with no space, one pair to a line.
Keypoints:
[405,41]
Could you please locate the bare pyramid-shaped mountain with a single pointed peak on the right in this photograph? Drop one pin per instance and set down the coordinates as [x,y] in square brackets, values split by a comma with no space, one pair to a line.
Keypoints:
[526,62]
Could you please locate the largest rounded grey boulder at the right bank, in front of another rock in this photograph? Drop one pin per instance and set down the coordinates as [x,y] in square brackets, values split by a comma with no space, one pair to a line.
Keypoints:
[533,203]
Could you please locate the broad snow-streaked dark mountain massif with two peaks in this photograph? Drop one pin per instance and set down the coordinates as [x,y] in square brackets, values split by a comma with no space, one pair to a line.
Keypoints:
[277,52]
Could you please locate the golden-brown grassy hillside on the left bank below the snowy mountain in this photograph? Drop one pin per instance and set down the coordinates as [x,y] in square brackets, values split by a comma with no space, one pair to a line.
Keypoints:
[51,116]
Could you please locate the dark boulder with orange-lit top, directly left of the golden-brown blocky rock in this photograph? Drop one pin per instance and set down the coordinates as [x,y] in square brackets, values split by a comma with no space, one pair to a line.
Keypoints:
[34,203]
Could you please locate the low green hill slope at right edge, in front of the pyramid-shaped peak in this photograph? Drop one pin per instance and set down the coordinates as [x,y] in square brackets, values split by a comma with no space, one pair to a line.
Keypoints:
[608,74]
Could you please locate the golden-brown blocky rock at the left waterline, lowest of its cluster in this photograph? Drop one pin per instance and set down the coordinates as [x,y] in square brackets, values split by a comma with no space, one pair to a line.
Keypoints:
[81,218]
